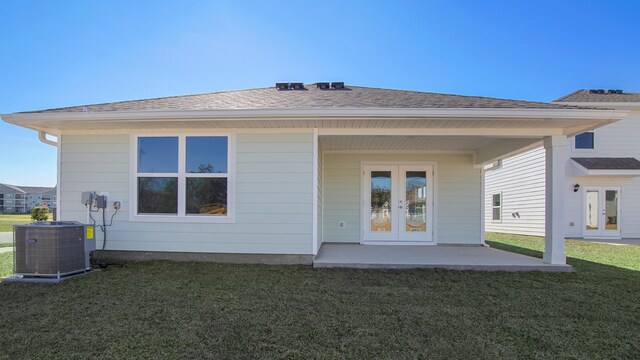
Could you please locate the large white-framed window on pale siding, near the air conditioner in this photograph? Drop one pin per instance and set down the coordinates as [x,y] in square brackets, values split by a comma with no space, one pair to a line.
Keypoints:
[183,178]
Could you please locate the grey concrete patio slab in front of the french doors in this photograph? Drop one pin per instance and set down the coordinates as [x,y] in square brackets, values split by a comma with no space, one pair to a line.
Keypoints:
[451,257]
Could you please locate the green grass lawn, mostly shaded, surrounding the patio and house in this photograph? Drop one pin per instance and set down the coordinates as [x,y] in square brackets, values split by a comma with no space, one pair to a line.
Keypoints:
[196,310]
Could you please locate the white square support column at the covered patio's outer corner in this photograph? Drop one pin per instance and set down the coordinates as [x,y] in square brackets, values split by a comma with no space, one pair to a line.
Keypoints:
[555,165]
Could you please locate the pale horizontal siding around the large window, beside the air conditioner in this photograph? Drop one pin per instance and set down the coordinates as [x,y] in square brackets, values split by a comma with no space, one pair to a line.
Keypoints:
[273,196]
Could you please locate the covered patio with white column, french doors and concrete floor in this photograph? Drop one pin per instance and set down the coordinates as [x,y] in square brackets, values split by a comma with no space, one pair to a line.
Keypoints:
[412,195]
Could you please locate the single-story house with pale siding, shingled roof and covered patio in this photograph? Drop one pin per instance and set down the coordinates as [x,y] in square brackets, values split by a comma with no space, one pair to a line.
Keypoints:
[280,172]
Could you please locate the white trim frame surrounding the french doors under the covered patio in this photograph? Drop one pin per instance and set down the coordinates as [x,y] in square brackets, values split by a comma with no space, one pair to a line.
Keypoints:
[364,215]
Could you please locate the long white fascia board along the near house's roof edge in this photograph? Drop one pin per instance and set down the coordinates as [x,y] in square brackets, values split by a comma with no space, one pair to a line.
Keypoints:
[305,114]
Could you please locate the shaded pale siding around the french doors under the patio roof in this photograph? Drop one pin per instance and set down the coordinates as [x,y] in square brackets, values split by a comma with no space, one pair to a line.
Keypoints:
[458,192]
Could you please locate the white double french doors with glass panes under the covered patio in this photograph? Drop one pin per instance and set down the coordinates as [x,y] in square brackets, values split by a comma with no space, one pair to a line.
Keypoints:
[398,203]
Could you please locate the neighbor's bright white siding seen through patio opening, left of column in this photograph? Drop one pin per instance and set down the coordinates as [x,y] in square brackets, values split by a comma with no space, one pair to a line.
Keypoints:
[520,181]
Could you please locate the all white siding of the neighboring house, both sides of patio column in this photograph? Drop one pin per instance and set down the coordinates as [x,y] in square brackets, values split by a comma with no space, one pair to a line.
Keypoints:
[521,179]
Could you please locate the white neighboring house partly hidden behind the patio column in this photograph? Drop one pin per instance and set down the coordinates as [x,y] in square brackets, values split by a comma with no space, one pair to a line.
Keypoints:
[602,178]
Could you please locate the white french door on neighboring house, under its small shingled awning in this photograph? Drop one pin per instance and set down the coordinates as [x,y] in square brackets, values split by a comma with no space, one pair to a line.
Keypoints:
[601,212]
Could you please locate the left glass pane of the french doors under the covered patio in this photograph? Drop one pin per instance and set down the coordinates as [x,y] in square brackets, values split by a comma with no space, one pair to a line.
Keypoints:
[381,187]
